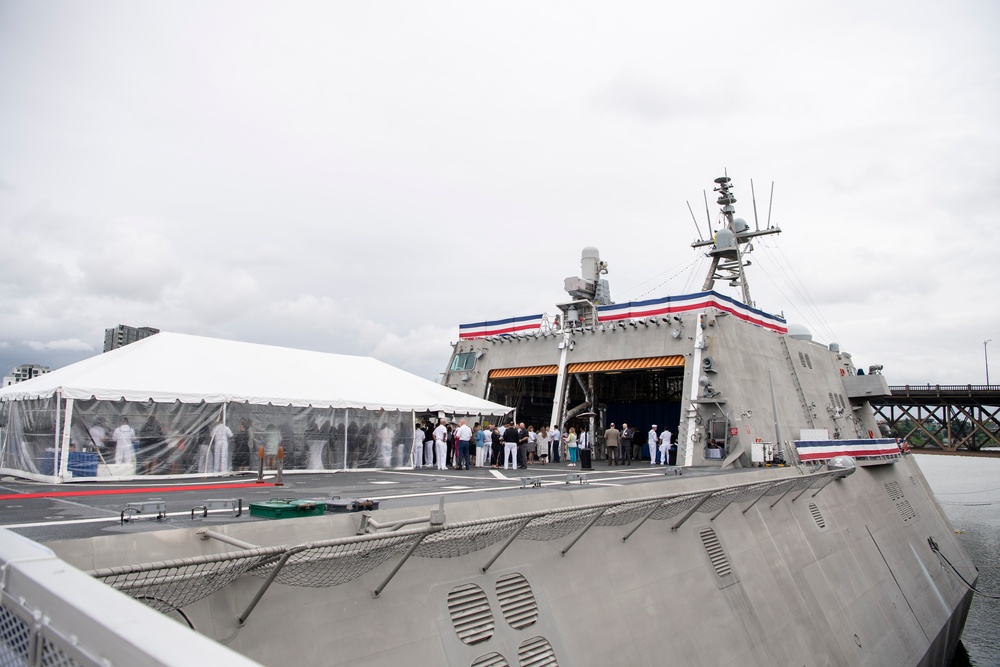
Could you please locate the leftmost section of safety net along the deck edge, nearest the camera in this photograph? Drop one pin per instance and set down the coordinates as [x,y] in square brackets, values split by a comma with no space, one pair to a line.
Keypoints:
[169,585]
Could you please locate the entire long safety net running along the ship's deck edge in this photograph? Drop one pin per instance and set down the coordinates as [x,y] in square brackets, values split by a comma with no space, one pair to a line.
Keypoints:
[173,584]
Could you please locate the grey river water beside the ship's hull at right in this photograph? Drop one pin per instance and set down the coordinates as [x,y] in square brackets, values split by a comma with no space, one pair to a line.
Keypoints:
[968,489]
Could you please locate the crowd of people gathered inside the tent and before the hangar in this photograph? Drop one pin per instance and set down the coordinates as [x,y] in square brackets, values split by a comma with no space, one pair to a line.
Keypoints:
[440,444]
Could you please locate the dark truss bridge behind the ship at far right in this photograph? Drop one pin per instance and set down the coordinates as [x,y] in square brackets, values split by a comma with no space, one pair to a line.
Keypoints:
[945,417]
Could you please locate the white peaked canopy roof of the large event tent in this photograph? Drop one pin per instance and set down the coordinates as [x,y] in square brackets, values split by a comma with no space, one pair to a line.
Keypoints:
[171,367]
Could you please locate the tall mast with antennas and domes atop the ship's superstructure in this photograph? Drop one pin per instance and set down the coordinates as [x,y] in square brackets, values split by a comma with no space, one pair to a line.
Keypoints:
[731,243]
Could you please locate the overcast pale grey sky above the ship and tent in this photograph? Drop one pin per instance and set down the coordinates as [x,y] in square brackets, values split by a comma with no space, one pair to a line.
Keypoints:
[363,177]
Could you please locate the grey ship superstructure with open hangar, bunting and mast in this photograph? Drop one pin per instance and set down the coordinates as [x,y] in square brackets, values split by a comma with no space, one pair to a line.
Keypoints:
[721,374]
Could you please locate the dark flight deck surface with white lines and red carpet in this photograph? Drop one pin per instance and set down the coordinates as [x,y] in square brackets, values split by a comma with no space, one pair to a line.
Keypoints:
[49,512]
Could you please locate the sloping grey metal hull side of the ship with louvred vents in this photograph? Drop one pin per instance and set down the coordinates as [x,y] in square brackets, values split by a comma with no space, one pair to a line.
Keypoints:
[819,568]
